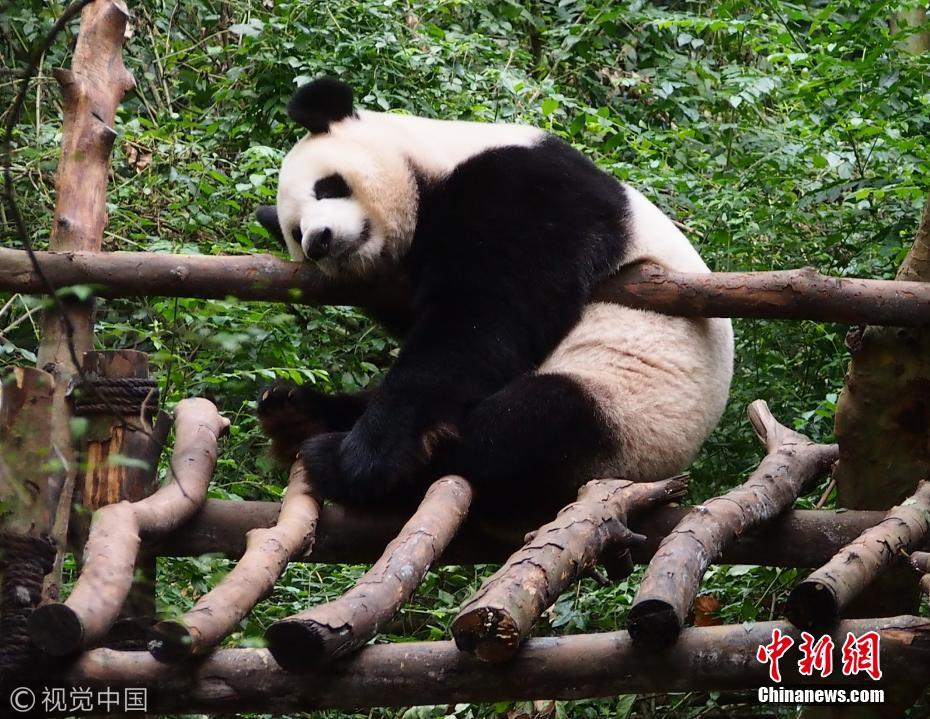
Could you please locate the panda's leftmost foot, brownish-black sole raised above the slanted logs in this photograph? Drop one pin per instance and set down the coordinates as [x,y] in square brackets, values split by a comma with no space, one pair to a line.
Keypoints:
[290,414]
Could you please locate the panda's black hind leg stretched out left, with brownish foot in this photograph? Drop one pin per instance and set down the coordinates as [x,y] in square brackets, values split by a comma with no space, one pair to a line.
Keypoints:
[290,414]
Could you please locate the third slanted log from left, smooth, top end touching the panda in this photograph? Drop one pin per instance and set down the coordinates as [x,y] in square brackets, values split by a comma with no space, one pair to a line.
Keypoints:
[340,627]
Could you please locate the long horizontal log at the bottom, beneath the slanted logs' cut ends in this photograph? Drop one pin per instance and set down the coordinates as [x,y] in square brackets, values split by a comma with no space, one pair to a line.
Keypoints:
[573,667]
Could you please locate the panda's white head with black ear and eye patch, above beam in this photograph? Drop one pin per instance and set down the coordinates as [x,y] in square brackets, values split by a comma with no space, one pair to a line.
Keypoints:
[347,196]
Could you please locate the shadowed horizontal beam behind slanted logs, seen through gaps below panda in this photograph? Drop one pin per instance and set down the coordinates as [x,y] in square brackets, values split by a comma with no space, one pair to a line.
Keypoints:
[802,538]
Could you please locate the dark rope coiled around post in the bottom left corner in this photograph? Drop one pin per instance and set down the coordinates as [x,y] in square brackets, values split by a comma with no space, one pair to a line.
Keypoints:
[24,561]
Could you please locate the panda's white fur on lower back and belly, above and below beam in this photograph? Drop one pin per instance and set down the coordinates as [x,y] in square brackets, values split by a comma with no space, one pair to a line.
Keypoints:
[660,382]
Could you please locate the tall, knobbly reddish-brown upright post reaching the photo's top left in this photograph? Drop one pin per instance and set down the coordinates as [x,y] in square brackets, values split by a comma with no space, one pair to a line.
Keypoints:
[91,91]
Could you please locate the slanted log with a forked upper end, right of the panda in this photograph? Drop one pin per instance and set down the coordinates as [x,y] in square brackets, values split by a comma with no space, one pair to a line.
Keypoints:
[673,577]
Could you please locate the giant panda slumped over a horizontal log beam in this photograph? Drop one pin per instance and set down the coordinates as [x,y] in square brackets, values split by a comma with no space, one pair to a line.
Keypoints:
[508,373]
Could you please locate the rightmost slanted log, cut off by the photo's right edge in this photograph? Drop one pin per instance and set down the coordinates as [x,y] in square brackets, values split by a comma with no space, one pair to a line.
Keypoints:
[817,602]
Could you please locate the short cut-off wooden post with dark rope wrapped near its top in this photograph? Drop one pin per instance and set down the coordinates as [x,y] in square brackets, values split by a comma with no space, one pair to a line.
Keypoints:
[118,458]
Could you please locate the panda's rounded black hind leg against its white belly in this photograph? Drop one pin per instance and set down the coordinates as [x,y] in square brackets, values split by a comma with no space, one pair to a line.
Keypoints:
[529,447]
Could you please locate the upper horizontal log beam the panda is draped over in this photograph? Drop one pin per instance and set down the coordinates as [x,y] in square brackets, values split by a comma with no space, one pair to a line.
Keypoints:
[788,294]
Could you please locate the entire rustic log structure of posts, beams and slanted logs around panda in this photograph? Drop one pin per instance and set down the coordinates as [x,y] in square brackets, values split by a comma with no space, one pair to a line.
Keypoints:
[319,658]
